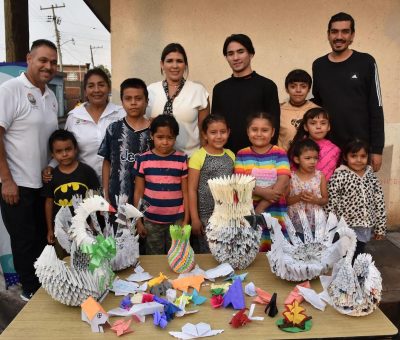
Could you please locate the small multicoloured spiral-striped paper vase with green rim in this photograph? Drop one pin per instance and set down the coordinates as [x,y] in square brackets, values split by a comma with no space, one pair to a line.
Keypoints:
[180,255]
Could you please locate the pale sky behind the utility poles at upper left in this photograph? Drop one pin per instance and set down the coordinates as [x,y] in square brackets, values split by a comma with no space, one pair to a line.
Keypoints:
[77,22]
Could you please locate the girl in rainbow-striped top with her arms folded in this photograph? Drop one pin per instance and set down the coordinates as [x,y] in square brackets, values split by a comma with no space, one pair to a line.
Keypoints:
[269,165]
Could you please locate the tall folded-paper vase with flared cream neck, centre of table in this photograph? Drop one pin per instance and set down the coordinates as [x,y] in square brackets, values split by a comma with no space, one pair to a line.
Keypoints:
[230,236]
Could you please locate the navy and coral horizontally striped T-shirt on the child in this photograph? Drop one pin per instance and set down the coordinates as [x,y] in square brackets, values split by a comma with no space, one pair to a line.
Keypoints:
[163,185]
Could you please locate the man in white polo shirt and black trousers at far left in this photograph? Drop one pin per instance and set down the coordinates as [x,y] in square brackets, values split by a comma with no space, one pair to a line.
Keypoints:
[28,115]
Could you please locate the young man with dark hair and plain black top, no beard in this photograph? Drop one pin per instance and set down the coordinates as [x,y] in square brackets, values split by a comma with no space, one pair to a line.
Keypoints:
[244,93]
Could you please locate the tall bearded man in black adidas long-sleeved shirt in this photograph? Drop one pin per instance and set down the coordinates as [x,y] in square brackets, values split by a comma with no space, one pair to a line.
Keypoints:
[346,83]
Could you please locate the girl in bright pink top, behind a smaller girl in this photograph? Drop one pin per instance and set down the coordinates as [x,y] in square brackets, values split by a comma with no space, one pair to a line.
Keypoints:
[315,125]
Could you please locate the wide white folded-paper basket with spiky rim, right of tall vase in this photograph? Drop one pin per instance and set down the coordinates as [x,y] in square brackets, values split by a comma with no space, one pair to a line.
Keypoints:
[299,260]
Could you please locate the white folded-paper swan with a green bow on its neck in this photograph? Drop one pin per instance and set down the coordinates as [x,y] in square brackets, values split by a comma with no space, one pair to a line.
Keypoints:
[89,272]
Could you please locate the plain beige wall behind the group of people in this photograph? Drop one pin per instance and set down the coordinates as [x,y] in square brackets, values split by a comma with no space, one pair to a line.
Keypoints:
[286,34]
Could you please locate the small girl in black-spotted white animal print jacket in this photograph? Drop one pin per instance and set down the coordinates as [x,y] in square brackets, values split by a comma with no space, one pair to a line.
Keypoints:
[356,194]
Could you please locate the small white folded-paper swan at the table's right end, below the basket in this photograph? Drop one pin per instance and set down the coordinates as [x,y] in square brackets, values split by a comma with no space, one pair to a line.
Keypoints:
[356,289]
